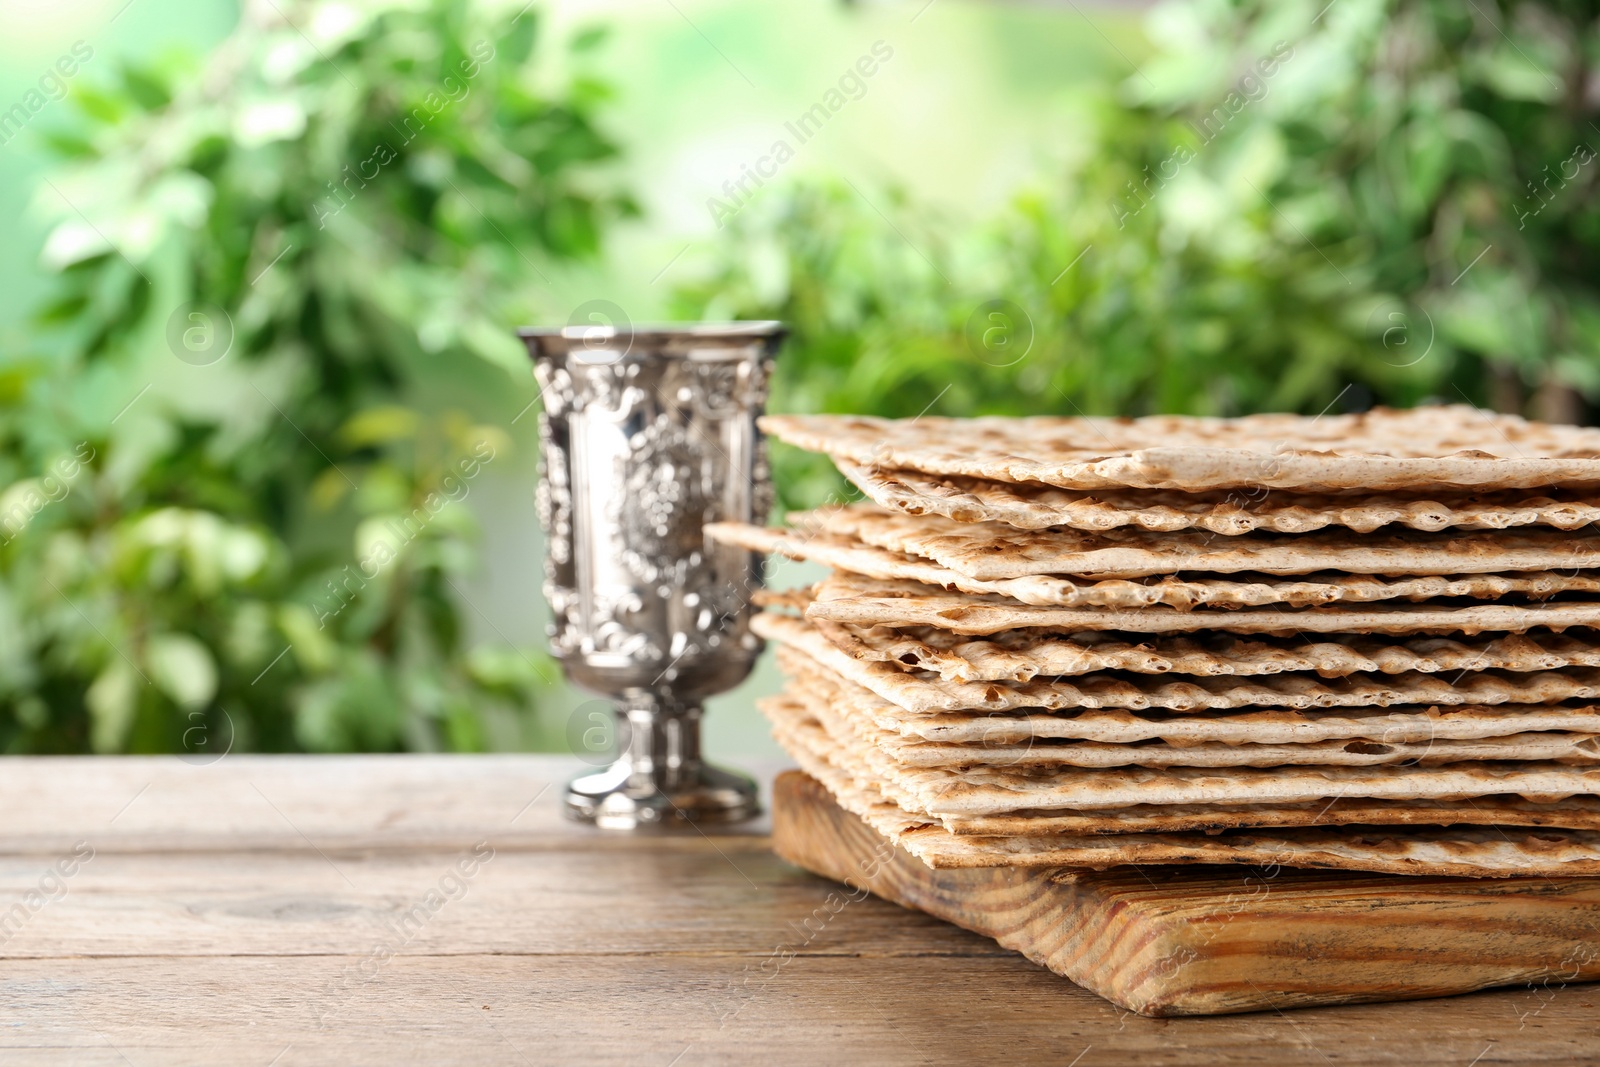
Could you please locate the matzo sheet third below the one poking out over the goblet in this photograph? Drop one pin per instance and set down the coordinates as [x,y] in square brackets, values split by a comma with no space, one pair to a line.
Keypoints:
[918,693]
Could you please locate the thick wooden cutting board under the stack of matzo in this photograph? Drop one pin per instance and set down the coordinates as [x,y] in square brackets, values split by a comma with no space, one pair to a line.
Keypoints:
[1190,941]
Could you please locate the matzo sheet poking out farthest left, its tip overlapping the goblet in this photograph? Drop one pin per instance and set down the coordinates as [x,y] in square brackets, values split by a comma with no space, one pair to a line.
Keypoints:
[849,554]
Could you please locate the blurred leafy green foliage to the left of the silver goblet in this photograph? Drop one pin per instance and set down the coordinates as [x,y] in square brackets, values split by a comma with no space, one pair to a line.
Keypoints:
[231,521]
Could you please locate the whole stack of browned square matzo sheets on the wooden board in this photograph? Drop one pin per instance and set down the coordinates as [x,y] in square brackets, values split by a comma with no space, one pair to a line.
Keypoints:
[1356,642]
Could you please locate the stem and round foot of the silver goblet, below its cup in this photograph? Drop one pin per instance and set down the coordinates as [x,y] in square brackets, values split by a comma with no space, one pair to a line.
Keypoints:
[660,778]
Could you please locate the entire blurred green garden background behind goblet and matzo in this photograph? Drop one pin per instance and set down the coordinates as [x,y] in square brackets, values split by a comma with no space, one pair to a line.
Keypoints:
[265,263]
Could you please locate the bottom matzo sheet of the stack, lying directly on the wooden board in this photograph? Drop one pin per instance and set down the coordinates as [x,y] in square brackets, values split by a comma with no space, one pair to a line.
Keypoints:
[1390,850]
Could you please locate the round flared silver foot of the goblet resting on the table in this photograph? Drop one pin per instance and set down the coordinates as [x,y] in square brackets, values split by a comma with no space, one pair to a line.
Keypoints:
[625,799]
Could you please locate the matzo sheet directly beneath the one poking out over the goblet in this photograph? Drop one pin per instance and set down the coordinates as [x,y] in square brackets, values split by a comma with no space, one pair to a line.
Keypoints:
[841,599]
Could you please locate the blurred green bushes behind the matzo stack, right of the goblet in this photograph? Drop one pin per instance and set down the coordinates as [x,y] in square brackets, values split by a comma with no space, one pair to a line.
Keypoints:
[1294,206]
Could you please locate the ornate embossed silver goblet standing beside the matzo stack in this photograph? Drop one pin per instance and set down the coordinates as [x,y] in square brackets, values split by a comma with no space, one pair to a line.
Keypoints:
[649,434]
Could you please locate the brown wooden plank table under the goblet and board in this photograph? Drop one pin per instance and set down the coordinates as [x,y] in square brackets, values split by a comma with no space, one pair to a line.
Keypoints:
[439,911]
